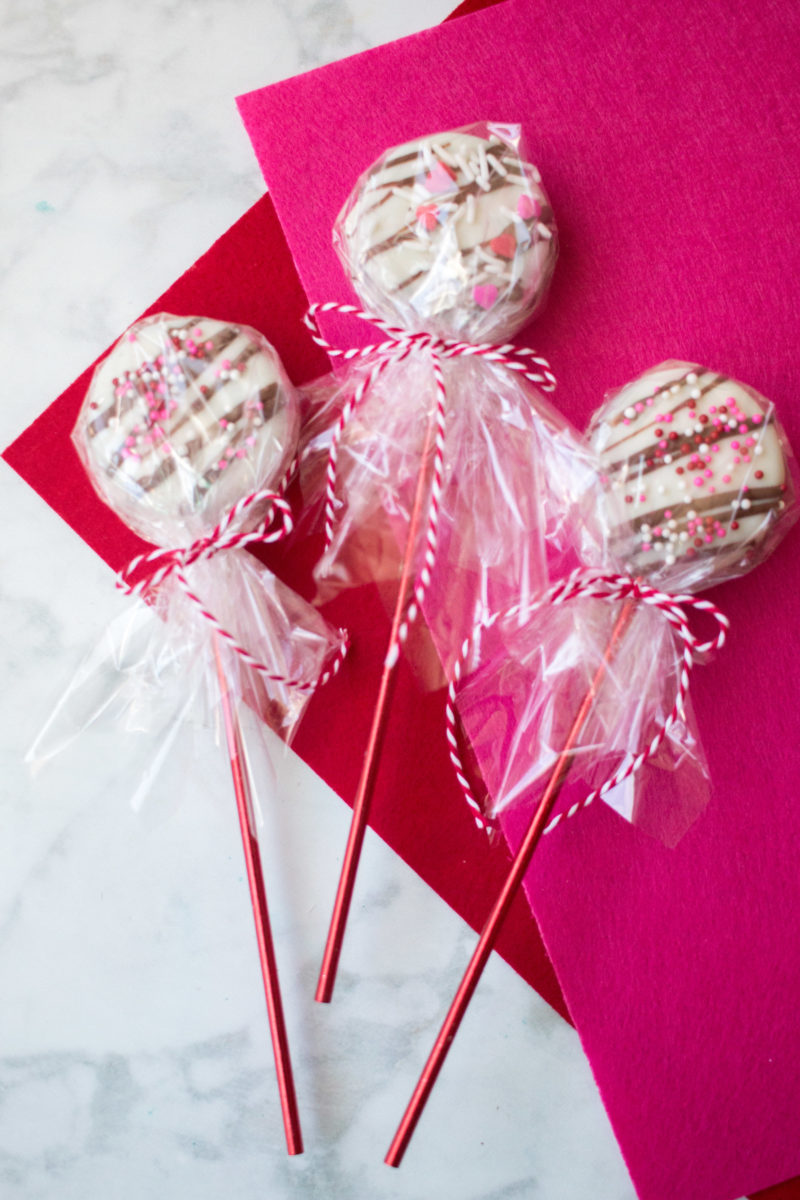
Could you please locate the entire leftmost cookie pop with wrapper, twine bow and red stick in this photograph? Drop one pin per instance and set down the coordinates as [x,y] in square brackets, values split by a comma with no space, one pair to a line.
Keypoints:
[187,433]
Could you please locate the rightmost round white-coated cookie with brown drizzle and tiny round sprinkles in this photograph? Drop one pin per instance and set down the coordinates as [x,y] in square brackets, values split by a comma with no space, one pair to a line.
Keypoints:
[697,476]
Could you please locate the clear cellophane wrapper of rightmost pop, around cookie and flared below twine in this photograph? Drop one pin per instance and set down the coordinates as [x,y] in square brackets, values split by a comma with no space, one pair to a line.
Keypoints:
[679,531]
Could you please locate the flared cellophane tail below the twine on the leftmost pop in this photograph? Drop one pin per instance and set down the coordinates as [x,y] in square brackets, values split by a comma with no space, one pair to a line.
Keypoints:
[155,669]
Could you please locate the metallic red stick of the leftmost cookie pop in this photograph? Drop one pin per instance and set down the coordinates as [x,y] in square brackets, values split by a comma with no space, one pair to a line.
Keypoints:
[261,914]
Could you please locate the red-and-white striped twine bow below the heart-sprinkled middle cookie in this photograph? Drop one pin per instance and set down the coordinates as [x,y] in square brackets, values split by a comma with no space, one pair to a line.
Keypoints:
[399,345]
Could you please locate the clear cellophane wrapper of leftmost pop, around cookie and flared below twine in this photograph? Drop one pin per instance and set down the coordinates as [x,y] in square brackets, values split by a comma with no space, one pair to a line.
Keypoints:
[183,421]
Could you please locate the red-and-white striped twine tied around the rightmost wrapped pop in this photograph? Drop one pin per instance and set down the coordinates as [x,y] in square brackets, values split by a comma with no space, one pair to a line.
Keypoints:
[603,587]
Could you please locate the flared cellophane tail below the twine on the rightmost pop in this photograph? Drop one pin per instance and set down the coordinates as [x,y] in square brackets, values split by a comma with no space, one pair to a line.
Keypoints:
[518,709]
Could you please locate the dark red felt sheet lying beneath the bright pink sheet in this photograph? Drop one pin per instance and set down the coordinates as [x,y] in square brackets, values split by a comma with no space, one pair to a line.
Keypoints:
[238,280]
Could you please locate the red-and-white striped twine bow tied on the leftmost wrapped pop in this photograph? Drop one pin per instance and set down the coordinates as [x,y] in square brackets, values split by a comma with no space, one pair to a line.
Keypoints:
[160,565]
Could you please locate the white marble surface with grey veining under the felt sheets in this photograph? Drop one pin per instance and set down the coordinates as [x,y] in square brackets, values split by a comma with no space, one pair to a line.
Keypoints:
[134,1042]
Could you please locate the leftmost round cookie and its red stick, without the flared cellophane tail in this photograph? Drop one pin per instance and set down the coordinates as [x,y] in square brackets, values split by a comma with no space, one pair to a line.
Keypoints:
[187,417]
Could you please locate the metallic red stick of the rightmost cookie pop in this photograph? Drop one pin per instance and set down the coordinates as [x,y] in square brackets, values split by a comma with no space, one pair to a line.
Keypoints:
[502,905]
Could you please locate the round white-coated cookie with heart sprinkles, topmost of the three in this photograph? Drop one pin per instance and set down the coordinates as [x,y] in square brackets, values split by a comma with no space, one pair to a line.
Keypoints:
[453,235]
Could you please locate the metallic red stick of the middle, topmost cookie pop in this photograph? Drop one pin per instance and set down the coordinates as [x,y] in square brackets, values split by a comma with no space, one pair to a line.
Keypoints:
[372,754]
